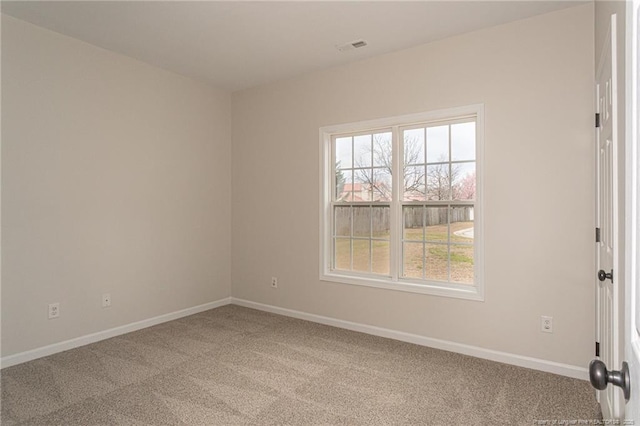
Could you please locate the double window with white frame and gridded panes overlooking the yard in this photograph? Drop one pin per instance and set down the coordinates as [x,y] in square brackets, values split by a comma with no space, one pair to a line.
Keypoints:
[402,203]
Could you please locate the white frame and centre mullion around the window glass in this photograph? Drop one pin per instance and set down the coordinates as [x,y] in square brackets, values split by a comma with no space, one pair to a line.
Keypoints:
[473,291]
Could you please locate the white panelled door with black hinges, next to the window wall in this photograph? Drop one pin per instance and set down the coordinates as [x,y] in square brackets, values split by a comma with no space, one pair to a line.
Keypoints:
[607,217]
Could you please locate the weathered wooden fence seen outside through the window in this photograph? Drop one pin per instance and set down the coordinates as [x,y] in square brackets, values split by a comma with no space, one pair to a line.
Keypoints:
[377,218]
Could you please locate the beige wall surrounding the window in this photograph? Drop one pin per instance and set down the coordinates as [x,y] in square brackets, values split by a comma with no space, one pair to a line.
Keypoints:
[535,78]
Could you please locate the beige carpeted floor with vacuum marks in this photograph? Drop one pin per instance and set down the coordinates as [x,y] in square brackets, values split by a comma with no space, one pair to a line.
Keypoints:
[238,366]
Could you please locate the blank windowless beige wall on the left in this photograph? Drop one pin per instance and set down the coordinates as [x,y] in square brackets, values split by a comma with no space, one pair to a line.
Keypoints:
[115,178]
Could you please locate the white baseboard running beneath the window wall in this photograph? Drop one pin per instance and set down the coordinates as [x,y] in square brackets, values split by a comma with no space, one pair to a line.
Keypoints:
[475,351]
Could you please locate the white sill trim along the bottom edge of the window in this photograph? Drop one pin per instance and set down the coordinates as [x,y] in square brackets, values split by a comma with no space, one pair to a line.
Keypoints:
[457,291]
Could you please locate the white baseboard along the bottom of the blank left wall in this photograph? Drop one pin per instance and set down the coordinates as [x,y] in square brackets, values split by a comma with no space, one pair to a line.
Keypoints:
[21,357]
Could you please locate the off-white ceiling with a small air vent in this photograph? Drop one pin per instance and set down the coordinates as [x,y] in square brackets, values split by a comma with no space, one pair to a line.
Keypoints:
[235,45]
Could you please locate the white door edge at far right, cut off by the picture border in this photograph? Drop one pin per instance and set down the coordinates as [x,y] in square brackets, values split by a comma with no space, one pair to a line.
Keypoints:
[632,213]
